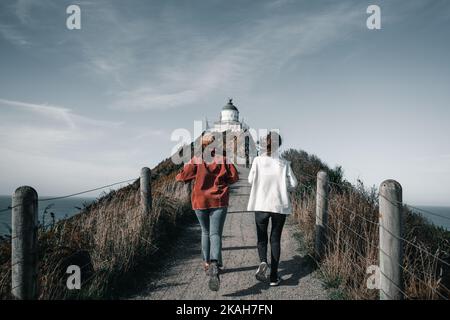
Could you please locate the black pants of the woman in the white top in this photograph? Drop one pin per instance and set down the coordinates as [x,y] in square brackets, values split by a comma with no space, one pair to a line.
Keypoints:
[262,223]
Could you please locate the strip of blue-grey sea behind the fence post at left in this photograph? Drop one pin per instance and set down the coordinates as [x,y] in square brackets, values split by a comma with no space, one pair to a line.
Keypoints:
[62,209]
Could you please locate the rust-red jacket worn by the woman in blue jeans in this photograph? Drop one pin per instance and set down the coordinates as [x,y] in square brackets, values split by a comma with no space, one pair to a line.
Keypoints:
[211,181]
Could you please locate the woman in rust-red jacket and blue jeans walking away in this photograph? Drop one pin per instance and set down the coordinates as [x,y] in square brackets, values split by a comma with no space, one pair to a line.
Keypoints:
[210,201]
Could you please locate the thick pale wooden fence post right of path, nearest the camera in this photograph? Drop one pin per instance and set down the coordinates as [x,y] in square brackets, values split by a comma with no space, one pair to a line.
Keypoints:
[391,252]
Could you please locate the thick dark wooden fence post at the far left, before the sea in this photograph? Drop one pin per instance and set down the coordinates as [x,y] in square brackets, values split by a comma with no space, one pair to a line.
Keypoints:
[24,243]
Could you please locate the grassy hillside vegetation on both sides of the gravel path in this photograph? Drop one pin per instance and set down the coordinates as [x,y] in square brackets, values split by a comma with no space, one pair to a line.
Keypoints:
[112,240]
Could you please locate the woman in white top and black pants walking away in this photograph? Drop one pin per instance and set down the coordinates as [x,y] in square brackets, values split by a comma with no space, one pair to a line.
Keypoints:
[271,179]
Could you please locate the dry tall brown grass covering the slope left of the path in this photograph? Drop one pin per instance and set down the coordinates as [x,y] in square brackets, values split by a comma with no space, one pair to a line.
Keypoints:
[107,240]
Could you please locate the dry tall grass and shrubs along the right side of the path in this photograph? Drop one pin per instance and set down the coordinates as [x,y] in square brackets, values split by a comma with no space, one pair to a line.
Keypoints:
[352,237]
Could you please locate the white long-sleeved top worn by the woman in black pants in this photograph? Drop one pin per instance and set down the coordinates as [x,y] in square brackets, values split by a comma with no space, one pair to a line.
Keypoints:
[271,181]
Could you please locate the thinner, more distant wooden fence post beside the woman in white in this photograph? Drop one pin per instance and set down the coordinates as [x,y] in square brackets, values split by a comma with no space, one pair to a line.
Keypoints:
[321,213]
